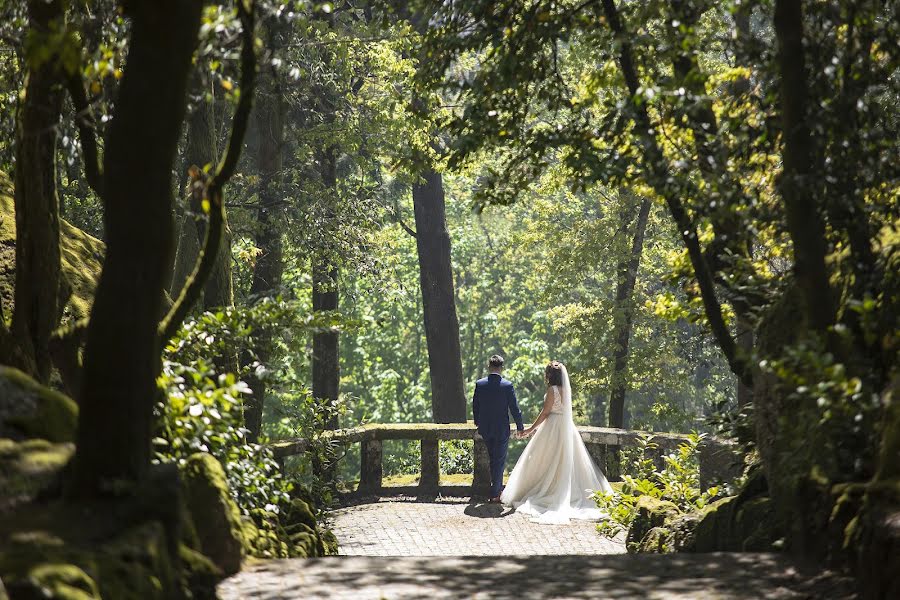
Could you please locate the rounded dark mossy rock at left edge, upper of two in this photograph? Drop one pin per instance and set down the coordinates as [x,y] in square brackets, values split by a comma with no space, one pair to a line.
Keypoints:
[31,410]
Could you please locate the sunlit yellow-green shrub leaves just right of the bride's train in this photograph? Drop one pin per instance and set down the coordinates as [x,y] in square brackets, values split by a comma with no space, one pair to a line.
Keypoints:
[677,482]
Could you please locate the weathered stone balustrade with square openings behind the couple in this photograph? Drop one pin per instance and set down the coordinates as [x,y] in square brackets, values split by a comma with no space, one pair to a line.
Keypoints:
[603,444]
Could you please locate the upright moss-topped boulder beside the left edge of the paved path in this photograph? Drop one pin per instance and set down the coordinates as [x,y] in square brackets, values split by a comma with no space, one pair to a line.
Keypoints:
[216,518]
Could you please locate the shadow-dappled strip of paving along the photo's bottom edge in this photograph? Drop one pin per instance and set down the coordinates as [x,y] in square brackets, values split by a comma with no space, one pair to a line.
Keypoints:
[733,576]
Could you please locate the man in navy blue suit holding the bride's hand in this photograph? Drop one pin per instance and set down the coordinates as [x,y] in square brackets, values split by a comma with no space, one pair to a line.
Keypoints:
[494,399]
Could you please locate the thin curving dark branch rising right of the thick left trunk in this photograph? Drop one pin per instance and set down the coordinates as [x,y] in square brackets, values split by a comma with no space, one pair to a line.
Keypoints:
[190,293]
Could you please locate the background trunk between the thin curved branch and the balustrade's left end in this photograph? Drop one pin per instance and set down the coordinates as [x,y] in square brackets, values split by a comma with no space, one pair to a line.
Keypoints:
[267,272]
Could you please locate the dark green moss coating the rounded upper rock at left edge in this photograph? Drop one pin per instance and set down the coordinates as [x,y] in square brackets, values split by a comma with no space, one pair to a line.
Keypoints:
[56,416]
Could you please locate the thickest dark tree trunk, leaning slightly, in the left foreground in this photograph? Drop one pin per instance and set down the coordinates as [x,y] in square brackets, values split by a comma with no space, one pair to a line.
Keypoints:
[122,354]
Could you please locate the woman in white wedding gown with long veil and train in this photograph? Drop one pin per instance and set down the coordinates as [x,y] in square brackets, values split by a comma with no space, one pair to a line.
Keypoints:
[554,478]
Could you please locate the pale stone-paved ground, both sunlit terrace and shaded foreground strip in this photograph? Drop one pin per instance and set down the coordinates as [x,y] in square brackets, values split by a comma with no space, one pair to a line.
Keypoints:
[416,549]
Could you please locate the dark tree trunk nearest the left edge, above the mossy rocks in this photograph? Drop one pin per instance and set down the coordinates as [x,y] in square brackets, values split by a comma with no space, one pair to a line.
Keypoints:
[36,312]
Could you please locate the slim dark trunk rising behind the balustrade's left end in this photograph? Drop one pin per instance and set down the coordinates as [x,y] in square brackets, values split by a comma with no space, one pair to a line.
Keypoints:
[326,369]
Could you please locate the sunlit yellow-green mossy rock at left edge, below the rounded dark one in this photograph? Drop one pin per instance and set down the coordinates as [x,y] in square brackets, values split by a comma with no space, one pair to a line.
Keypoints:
[30,467]
